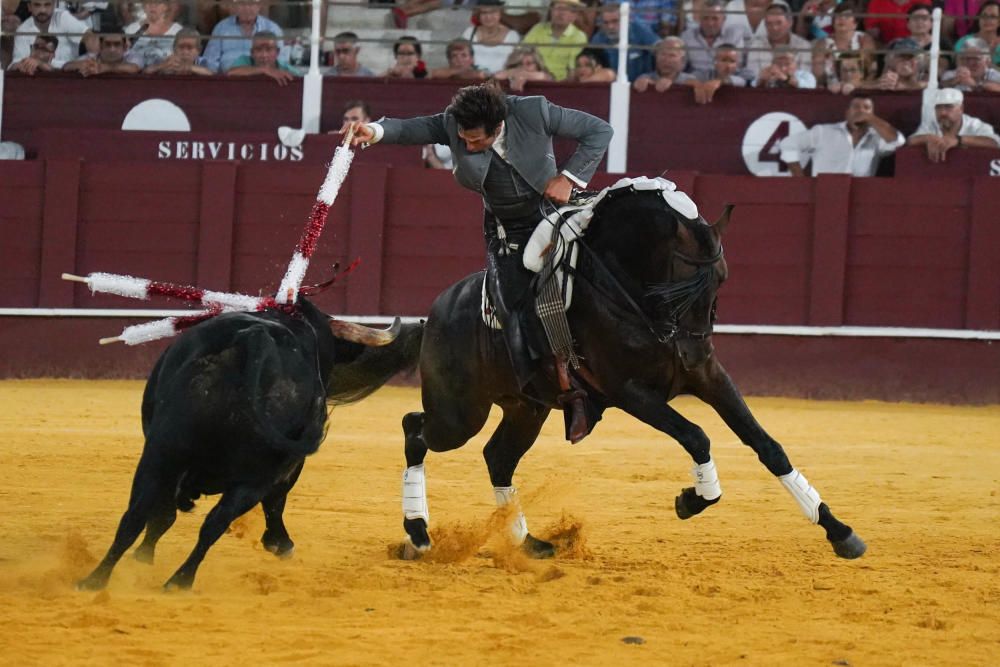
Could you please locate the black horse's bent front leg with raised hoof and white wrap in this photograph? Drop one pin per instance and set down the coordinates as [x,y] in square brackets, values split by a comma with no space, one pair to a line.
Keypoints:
[650,407]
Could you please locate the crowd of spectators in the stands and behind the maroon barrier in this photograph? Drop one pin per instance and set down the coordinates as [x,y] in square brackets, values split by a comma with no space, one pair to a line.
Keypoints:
[700,44]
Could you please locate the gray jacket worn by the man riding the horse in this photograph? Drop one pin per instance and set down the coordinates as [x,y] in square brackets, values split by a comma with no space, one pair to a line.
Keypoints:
[530,125]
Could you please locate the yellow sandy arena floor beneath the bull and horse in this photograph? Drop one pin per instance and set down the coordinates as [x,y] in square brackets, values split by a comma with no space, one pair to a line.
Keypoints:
[749,582]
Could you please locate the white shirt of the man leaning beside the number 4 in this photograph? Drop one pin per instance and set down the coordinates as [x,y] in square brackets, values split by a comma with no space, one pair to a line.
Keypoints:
[833,151]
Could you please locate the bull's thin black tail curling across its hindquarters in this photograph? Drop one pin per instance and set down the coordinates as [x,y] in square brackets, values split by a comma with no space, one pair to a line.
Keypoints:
[304,431]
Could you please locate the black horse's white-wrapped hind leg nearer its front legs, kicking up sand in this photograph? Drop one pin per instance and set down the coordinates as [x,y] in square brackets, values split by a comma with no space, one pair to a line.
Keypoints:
[514,436]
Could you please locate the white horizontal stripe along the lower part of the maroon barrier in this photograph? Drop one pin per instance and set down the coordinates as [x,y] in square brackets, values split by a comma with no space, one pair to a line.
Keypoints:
[741,329]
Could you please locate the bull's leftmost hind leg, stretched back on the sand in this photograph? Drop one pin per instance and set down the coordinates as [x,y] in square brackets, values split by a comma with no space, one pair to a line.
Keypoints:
[148,486]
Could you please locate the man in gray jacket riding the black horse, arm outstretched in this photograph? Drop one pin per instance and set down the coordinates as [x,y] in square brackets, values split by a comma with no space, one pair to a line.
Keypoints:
[502,148]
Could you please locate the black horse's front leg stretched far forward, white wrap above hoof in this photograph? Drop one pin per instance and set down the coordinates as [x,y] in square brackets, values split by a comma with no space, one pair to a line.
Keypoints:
[715,387]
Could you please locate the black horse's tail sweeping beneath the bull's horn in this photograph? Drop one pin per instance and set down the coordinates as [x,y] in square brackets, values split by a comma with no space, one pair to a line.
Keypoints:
[369,368]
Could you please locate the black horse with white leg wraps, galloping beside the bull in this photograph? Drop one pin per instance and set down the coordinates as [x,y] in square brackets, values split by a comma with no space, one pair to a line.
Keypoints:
[642,317]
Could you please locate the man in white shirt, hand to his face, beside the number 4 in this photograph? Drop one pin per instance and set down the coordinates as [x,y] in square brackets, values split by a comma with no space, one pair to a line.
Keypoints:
[853,147]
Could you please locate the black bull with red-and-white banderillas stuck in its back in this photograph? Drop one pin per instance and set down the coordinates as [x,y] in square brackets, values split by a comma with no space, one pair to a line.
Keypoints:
[233,407]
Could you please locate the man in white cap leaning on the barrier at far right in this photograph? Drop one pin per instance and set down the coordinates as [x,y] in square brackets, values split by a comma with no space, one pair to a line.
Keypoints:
[951,128]
